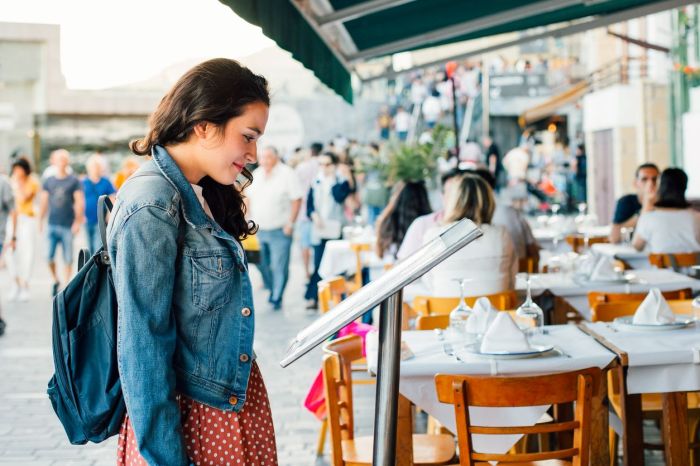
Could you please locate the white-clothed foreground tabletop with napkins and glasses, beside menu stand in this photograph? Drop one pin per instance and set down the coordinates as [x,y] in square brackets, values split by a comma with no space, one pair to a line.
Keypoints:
[489,342]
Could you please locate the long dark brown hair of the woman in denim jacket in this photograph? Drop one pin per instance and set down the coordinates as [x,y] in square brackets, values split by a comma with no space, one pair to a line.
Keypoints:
[213,91]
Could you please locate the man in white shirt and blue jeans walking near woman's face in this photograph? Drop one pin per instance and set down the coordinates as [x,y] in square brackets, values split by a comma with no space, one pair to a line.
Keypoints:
[274,200]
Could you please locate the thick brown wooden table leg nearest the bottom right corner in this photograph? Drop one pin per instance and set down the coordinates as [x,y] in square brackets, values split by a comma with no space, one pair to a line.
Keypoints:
[675,428]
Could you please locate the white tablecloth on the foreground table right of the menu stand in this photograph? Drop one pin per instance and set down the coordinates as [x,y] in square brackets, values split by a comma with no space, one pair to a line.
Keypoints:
[418,385]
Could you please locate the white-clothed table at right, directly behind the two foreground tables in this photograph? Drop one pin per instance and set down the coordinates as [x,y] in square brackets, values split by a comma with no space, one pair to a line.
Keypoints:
[572,293]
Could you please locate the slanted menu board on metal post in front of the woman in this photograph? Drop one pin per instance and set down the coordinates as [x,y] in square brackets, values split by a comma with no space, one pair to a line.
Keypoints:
[387,291]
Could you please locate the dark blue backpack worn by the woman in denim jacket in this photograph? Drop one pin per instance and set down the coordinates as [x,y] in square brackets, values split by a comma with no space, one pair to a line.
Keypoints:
[85,390]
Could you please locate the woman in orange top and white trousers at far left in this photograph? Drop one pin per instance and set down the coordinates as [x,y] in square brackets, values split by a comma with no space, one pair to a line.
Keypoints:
[22,228]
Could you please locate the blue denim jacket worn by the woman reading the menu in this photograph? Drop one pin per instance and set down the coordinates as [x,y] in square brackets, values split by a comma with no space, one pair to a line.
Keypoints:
[185,307]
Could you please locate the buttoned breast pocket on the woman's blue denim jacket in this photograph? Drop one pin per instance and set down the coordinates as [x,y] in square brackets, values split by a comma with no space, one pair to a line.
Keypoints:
[211,279]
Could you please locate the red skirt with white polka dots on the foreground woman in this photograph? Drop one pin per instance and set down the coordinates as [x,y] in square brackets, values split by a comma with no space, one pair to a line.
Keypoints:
[216,437]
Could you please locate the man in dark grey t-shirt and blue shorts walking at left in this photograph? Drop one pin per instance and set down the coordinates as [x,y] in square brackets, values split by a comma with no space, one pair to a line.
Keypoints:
[62,198]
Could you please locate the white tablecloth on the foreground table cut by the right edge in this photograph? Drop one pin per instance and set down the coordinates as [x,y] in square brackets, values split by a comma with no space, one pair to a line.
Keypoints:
[665,361]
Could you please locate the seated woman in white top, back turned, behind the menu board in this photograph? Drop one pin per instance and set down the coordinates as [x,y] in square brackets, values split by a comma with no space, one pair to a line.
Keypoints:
[489,262]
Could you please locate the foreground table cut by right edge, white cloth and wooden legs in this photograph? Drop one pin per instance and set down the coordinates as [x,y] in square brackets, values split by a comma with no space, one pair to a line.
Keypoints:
[666,362]
